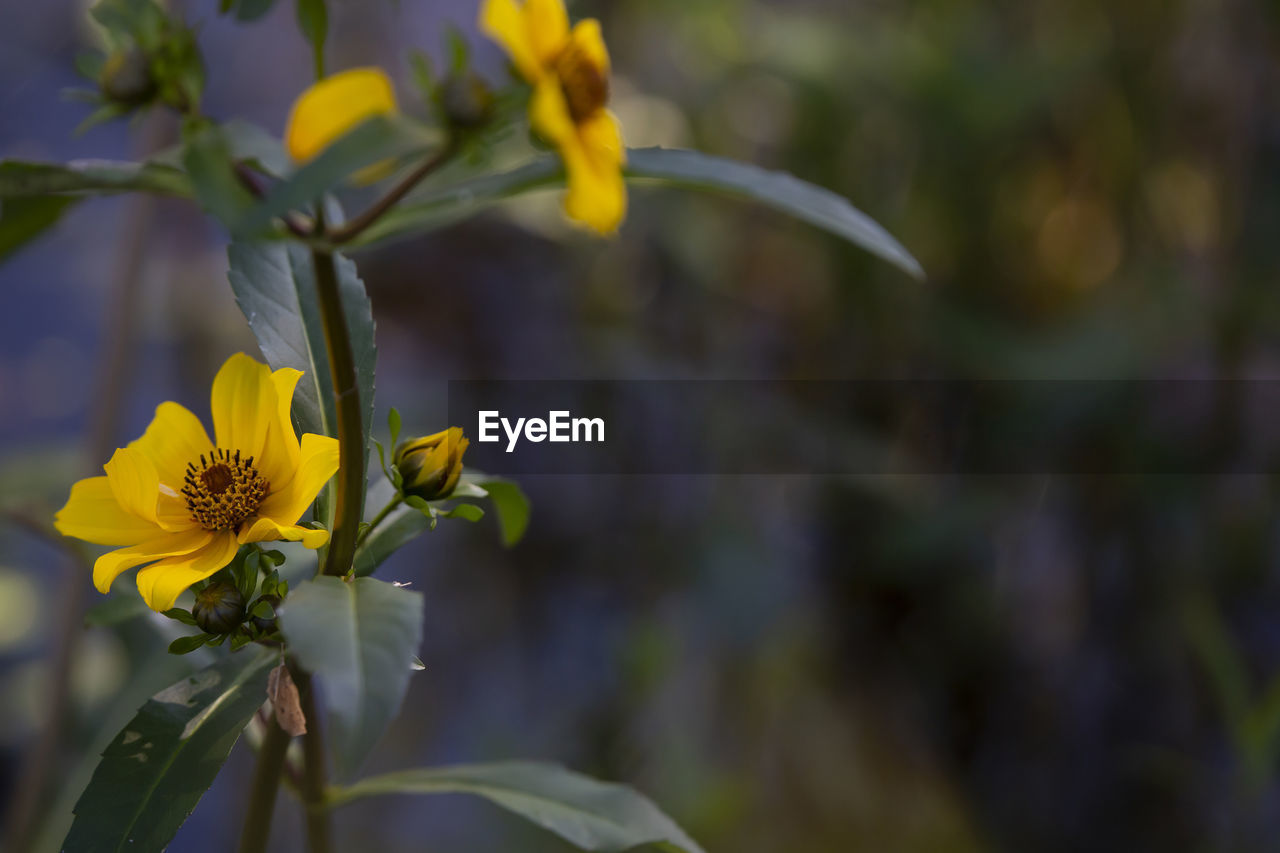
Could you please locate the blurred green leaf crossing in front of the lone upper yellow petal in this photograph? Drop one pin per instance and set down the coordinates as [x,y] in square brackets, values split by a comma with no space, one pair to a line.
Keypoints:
[380,139]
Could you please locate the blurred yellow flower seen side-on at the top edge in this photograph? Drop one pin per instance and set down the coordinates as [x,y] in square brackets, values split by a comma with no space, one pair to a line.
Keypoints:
[570,74]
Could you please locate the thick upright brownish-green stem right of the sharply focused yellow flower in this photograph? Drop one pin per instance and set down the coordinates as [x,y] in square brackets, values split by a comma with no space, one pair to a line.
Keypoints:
[351,445]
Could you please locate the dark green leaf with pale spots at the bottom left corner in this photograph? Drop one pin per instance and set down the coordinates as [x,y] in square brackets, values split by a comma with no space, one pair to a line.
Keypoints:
[161,765]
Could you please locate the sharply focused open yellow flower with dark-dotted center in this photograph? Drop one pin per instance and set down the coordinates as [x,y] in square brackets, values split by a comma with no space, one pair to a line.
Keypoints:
[185,504]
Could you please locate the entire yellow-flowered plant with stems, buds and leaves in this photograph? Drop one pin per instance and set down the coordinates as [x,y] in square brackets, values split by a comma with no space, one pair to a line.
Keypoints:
[199,516]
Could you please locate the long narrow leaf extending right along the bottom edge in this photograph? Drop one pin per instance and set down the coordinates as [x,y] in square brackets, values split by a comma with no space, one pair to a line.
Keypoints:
[589,814]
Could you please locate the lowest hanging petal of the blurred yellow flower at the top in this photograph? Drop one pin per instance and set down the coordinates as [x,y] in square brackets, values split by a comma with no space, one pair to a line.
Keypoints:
[597,194]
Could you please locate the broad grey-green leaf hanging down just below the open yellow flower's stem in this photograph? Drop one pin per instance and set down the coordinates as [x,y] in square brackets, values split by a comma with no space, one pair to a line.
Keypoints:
[356,638]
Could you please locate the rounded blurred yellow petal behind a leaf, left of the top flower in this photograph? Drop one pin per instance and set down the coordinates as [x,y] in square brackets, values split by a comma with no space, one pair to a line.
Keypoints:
[335,107]
